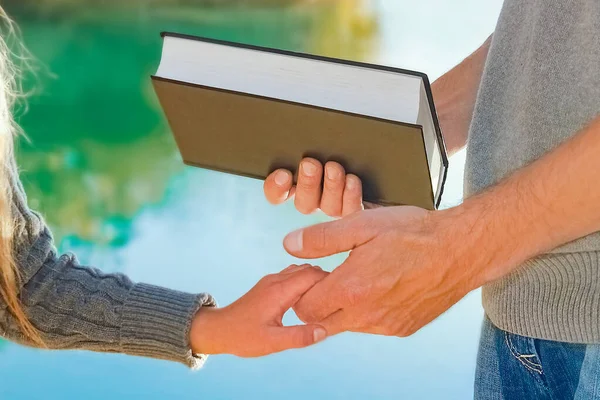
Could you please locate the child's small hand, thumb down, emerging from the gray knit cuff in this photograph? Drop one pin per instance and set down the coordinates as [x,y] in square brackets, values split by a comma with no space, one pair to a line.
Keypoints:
[252,326]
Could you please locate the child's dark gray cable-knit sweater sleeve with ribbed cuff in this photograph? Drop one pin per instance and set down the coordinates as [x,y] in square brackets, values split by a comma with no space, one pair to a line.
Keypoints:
[76,307]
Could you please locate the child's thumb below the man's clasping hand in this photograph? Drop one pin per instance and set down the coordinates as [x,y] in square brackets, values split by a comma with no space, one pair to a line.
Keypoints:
[294,337]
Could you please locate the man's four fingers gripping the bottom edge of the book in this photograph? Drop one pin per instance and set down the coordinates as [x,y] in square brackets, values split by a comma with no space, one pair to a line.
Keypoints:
[334,192]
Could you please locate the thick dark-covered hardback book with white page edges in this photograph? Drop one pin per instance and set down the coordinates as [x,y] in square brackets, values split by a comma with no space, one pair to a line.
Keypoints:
[248,110]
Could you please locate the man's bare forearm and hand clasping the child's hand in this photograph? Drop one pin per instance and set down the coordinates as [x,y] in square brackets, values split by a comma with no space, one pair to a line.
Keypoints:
[408,265]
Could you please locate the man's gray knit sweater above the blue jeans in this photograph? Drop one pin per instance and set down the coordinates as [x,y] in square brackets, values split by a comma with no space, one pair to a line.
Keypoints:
[541,85]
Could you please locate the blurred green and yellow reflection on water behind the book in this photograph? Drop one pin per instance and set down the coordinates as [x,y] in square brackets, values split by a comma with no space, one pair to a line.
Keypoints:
[100,149]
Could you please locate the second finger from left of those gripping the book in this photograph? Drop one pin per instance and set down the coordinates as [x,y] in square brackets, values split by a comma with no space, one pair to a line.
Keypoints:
[308,188]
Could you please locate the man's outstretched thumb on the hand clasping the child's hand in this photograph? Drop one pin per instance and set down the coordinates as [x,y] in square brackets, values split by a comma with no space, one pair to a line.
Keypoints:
[330,238]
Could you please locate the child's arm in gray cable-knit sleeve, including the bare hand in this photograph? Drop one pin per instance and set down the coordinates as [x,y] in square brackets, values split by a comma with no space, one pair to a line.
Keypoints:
[75,307]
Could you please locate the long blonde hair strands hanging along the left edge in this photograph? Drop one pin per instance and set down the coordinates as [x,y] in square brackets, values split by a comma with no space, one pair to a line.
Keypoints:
[10,281]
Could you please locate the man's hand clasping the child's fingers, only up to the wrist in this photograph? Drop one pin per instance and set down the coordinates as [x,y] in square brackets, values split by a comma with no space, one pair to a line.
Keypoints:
[406,268]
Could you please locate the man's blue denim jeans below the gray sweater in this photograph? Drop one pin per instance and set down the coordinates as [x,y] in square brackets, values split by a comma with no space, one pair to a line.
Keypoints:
[511,367]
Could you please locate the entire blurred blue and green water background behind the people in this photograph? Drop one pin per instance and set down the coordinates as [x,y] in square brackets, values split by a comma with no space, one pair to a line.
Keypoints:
[102,167]
